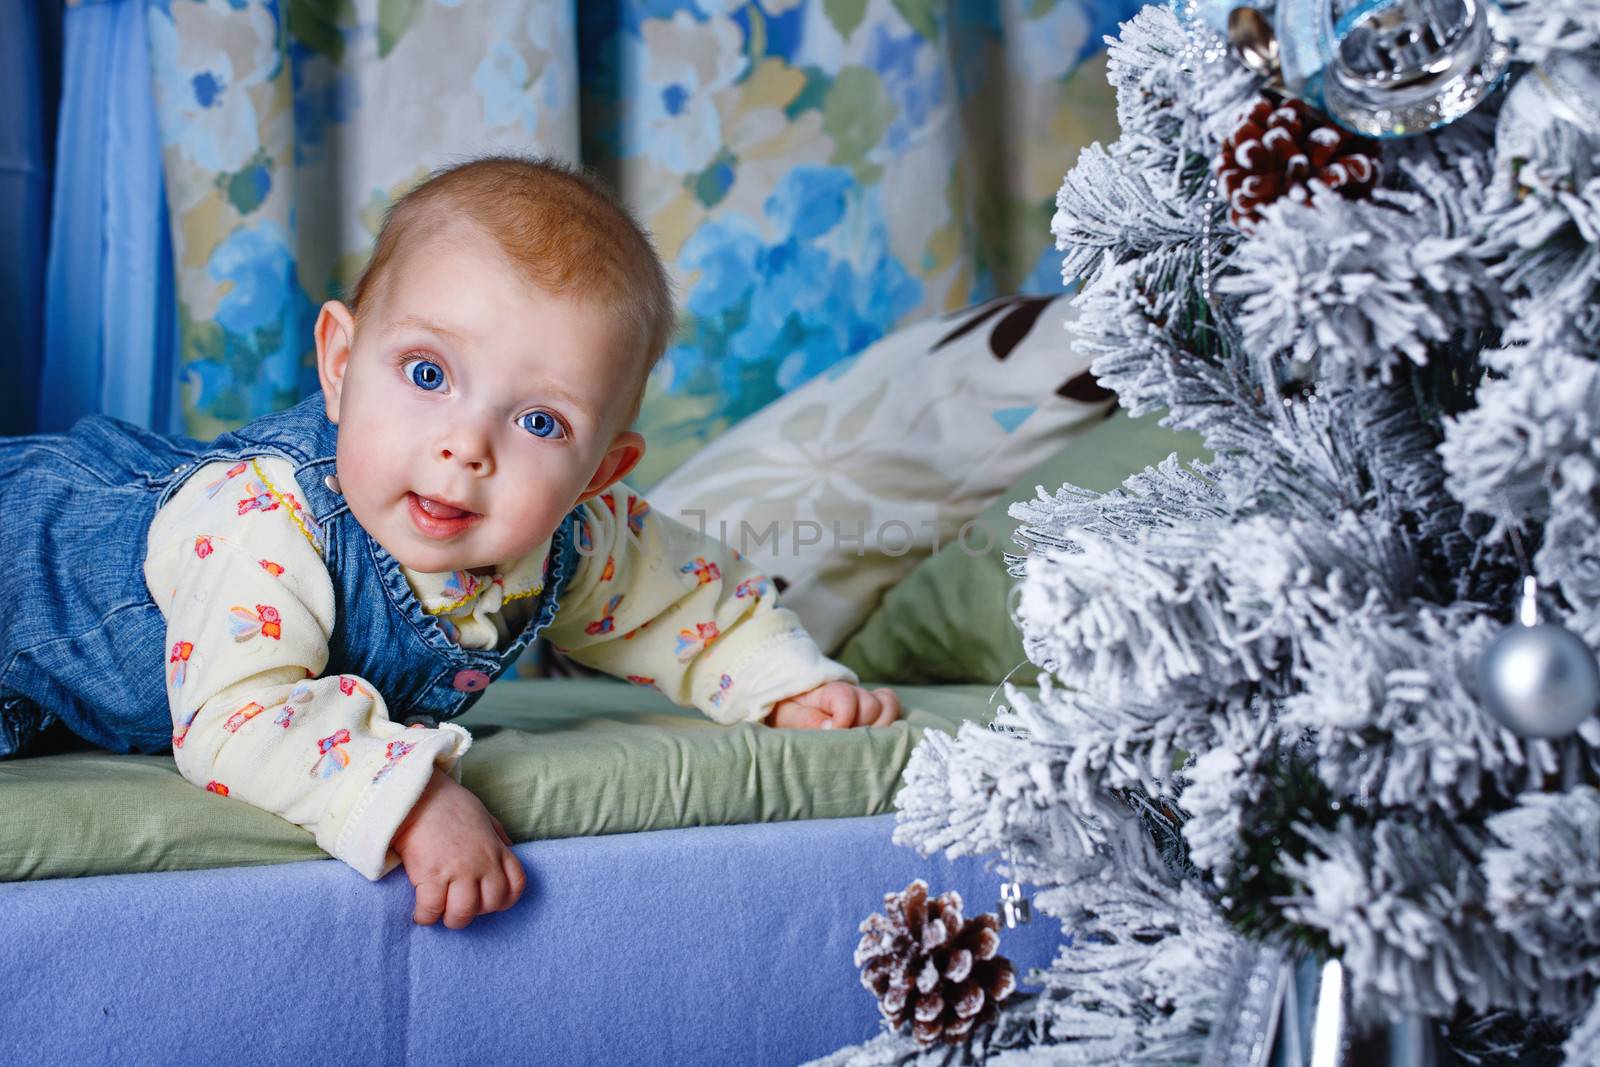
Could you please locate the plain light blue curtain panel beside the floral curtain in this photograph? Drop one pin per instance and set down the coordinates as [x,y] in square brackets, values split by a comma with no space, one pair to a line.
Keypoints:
[108,303]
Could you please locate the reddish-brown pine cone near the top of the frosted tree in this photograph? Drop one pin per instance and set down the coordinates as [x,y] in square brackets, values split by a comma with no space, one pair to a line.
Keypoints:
[1281,150]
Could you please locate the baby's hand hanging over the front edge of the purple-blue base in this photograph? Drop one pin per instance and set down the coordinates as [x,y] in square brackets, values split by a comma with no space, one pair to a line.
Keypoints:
[457,855]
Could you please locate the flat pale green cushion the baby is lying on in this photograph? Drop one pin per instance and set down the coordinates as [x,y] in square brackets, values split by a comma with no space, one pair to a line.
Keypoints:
[558,757]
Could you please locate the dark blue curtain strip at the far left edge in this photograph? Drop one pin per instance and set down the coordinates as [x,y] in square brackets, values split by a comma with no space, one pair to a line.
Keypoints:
[31,84]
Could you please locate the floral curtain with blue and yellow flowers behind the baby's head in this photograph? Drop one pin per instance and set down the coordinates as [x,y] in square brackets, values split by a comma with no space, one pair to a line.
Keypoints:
[815,172]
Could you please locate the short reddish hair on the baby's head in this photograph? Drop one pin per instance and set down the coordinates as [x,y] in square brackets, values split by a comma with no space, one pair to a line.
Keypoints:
[566,230]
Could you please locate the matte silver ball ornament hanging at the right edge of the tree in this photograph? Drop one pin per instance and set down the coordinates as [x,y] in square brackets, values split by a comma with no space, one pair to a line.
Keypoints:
[1538,679]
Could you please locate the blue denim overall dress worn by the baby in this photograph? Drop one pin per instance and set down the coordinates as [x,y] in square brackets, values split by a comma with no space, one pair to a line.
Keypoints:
[82,642]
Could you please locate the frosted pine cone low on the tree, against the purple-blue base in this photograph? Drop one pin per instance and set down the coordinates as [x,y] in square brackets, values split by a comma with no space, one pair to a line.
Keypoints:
[927,965]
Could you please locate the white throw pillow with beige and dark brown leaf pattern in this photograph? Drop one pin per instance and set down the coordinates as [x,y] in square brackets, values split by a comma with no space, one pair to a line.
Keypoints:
[844,486]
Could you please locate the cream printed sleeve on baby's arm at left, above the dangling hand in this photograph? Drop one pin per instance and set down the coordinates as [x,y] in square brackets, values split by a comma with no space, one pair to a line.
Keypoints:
[236,567]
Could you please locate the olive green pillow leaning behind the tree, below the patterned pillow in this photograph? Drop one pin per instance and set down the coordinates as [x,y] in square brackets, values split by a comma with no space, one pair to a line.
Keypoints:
[950,620]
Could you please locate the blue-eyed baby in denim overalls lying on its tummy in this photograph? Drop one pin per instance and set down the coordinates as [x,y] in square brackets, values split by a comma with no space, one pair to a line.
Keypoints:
[298,605]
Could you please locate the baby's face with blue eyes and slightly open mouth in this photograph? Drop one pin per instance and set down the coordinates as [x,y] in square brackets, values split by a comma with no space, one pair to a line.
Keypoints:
[474,409]
